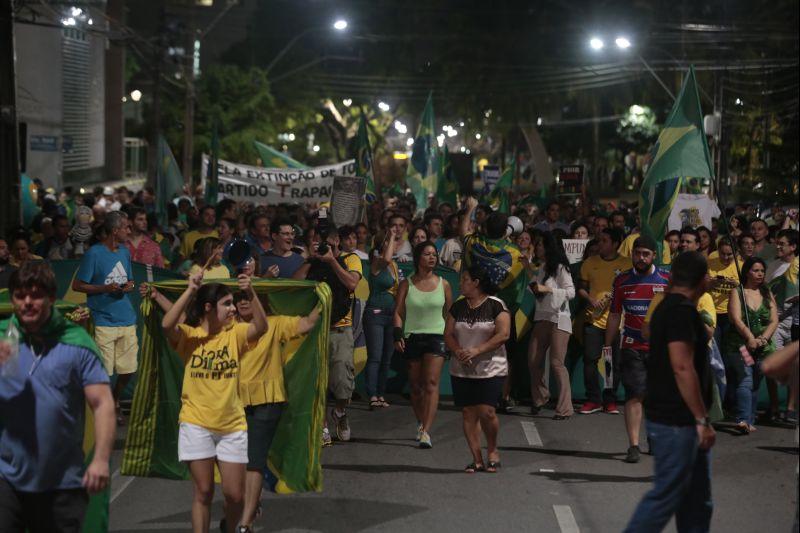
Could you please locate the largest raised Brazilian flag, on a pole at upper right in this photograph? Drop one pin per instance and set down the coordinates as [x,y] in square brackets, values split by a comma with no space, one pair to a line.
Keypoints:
[681,152]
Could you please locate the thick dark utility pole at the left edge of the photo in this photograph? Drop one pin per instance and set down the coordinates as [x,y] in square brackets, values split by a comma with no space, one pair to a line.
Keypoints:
[9,142]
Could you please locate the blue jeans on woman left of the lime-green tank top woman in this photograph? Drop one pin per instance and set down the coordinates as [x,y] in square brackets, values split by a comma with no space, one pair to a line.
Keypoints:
[380,347]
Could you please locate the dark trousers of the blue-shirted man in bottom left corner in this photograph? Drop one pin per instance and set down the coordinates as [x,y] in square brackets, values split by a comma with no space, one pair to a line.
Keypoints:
[55,511]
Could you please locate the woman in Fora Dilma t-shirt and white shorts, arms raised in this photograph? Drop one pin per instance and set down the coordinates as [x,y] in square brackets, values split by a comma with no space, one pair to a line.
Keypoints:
[213,428]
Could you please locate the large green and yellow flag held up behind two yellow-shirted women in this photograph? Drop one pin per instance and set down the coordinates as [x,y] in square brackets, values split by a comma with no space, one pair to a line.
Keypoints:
[151,449]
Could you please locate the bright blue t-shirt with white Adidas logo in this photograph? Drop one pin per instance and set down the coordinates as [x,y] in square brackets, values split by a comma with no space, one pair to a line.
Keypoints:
[101,266]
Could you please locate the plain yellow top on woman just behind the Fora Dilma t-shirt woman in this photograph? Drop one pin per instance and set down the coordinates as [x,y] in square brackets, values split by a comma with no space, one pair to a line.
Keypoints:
[261,373]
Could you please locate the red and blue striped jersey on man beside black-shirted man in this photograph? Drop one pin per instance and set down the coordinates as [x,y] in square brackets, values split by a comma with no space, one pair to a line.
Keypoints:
[632,293]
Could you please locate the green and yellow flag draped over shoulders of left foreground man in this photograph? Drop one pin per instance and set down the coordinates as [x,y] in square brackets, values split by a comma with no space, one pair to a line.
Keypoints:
[67,332]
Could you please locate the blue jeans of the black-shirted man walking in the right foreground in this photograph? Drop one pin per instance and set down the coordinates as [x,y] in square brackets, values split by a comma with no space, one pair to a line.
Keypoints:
[682,484]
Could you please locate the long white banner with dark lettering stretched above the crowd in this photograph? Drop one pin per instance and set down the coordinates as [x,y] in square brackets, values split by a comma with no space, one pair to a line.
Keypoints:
[246,183]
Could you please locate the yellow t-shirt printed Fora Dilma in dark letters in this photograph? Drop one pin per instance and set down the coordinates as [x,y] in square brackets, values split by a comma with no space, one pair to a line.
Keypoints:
[210,395]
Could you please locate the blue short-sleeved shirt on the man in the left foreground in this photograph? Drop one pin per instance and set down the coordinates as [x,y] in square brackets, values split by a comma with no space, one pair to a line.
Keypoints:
[42,417]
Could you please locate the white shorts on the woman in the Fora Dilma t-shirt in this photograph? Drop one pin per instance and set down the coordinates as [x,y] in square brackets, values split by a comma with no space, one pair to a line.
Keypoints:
[195,442]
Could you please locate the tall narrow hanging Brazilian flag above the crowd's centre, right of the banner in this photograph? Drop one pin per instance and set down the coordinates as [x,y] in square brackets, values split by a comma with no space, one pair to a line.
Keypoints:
[423,166]
